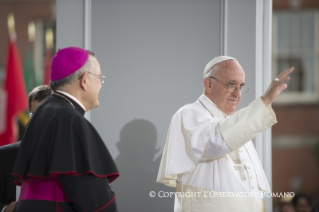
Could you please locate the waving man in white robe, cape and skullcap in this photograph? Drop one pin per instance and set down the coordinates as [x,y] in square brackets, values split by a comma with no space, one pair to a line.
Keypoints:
[208,148]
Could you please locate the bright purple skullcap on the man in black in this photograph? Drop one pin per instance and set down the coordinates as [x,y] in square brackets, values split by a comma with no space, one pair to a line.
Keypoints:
[67,61]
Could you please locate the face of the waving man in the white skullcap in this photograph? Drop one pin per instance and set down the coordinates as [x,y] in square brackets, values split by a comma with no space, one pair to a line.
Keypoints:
[231,74]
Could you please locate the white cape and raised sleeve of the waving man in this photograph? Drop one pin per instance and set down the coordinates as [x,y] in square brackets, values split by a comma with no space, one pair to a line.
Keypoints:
[195,136]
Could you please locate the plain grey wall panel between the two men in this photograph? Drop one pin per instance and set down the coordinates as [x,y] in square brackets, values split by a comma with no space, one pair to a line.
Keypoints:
[153,54]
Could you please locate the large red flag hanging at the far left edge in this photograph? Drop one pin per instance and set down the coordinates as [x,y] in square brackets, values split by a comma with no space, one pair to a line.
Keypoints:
[16,98]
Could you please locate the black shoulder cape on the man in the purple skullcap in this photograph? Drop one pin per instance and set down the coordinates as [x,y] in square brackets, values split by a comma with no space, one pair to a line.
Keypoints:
[59,141]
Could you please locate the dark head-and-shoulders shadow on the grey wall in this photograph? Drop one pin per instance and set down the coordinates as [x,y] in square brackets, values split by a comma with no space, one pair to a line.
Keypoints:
[138,171]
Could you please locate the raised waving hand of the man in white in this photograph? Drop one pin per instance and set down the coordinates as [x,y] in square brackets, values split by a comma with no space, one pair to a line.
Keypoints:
[276,87]
